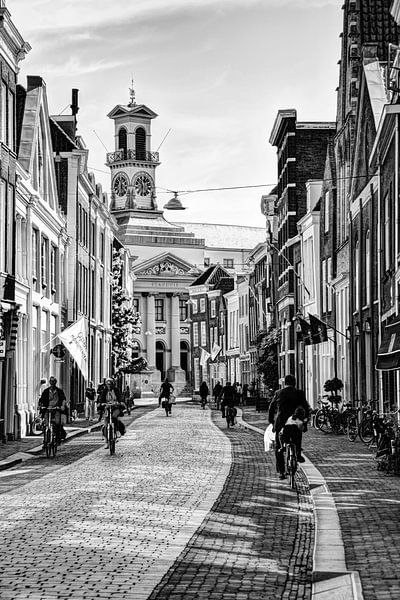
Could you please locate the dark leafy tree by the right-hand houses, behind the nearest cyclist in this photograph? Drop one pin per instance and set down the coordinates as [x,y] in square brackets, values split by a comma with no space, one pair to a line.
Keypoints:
[267,343]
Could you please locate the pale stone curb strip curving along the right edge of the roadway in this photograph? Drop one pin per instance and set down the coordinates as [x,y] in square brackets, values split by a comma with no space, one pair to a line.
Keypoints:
[330,578]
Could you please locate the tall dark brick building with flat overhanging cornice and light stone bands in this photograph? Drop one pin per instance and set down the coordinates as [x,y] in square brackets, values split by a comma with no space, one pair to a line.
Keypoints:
[301,152]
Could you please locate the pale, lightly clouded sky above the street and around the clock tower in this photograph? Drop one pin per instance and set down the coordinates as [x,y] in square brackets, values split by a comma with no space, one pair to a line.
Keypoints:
[215,71]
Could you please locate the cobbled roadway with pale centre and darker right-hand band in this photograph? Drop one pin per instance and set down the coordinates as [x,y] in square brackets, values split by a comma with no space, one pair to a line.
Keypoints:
[183,510]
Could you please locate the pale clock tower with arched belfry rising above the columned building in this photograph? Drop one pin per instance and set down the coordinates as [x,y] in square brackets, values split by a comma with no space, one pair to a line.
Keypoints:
[133,164]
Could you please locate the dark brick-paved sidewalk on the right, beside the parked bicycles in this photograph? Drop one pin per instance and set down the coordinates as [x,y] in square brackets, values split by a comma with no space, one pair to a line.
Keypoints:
[367,503]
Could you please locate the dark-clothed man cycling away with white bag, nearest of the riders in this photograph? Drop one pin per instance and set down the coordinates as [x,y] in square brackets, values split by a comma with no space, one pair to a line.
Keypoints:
[282,407]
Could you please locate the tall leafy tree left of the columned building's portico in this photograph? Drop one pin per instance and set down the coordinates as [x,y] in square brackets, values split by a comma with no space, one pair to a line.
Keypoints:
[124,317]
